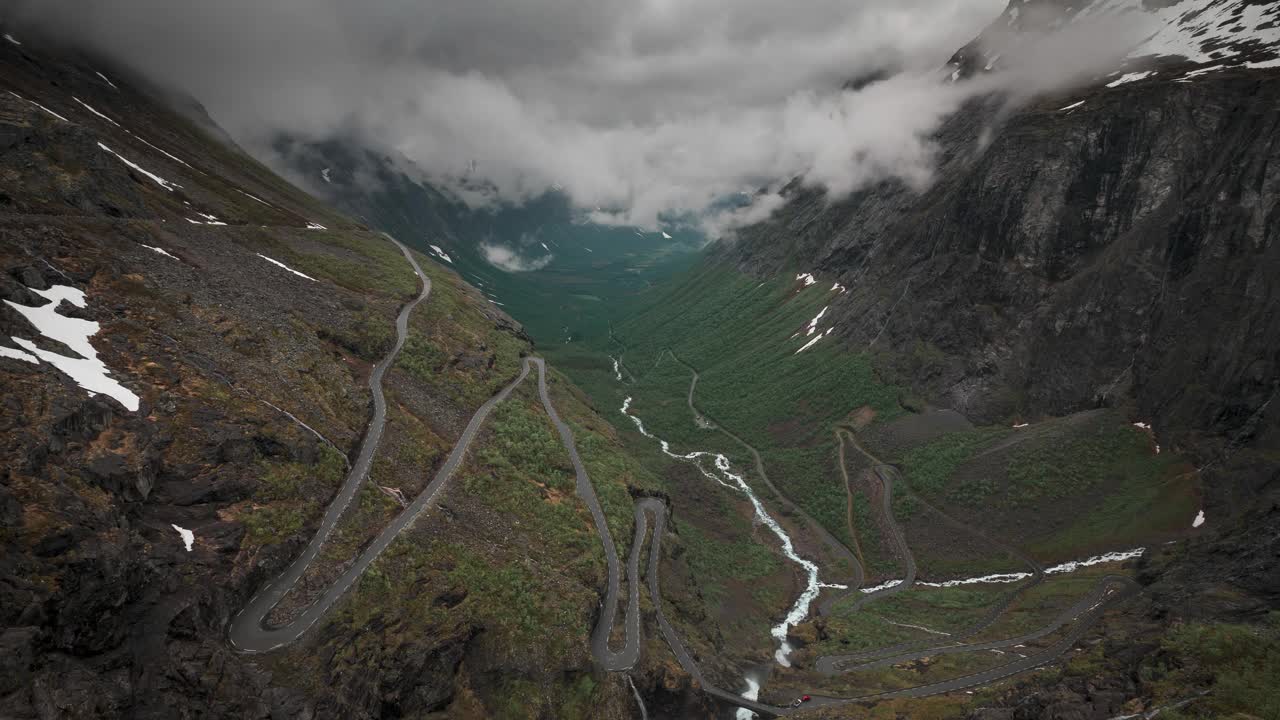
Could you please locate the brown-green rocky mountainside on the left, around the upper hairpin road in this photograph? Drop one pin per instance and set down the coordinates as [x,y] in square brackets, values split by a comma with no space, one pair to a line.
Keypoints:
[186,347]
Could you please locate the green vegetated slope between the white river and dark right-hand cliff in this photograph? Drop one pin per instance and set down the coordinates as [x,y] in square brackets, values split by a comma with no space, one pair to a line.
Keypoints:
[738,332]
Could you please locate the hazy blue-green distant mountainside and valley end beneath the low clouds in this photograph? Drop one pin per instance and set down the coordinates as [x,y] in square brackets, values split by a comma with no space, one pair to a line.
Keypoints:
[542,261]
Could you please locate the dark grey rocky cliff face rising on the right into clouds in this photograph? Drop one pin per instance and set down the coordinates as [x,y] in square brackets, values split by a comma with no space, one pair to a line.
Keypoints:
[1116,245]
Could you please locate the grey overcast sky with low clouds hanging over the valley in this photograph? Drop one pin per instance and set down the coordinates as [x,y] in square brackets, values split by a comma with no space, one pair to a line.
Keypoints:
[634,106]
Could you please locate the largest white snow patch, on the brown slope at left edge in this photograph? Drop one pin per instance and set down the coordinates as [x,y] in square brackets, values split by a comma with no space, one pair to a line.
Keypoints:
[88,371]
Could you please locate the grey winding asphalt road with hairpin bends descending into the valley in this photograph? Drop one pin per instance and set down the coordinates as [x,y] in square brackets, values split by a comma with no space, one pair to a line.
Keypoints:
[248,631]
